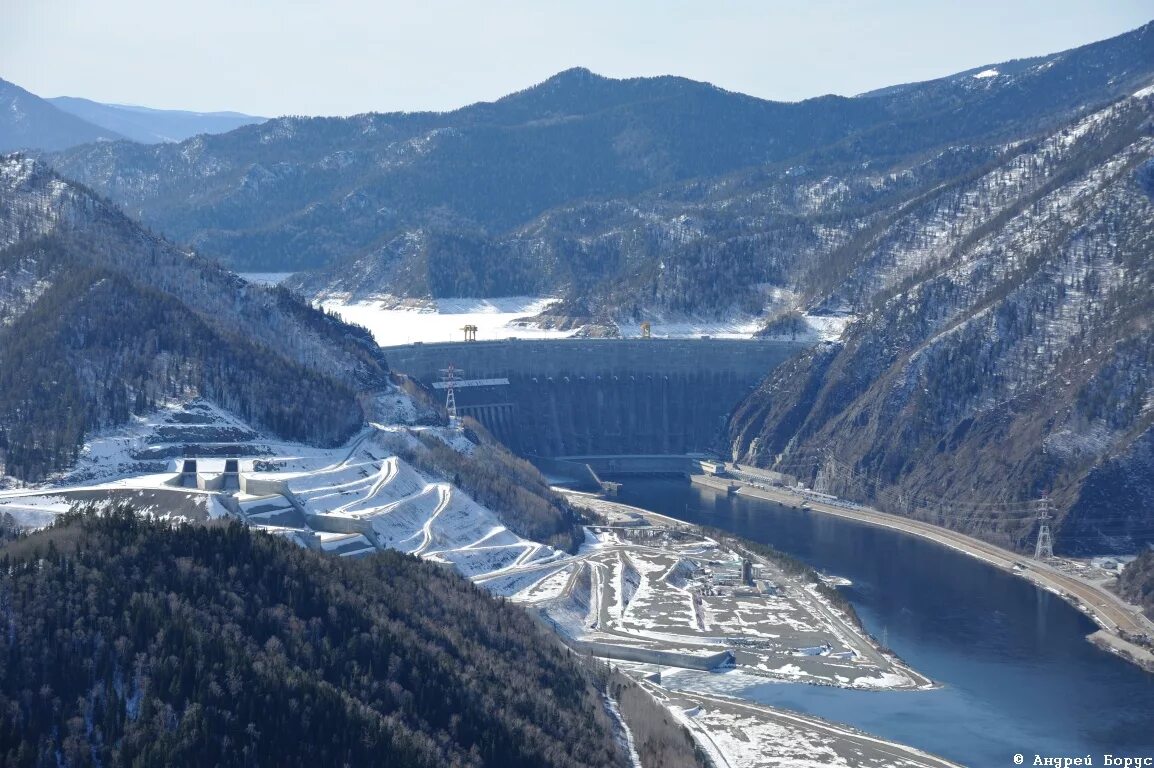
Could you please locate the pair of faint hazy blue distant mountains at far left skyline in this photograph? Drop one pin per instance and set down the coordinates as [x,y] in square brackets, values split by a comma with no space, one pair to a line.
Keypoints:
[31,123]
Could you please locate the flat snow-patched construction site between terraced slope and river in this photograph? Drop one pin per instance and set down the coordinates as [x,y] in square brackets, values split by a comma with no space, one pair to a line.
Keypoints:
[651,591]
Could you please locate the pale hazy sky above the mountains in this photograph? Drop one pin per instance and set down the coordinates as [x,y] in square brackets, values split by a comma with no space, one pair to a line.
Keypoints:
[342,57]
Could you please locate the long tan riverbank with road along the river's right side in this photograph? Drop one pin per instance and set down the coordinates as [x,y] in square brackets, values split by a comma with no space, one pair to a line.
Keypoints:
[1114,616]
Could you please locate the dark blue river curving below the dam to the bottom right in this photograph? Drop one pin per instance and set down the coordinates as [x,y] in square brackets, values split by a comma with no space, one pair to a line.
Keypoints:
[1017,674]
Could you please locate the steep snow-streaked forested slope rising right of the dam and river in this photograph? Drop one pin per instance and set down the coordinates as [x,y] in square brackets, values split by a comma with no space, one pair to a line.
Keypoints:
[1005,350]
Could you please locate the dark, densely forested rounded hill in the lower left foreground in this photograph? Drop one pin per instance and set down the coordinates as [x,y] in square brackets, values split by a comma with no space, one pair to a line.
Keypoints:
[149,644]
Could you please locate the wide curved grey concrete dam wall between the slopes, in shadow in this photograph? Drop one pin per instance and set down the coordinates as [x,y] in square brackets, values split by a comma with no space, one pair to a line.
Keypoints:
[582,397]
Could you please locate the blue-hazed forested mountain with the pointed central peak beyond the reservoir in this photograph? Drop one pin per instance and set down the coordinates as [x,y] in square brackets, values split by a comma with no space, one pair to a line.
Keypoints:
[299,193]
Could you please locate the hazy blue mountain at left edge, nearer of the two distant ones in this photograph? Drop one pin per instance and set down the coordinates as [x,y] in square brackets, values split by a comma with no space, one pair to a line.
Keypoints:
[27,122]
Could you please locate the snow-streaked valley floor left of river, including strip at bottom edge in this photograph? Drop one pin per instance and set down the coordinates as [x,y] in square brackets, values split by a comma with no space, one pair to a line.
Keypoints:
[733,731]
